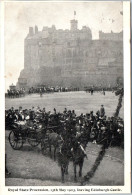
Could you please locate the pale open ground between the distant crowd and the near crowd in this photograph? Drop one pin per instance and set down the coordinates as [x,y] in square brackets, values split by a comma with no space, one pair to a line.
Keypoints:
[81,102]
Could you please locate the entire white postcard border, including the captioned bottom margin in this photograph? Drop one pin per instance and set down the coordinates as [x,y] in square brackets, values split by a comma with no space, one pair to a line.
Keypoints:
[127,113]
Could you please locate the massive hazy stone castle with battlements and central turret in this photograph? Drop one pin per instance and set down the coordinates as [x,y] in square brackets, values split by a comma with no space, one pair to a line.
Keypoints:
[71,58]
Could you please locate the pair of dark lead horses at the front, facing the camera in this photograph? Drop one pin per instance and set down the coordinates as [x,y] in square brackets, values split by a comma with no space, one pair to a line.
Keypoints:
[76,154]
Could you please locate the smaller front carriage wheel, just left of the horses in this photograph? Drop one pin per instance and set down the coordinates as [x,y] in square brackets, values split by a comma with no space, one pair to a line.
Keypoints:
[33,139]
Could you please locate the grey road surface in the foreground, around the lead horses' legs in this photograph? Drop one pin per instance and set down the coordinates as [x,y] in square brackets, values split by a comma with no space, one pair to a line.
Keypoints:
[29,167]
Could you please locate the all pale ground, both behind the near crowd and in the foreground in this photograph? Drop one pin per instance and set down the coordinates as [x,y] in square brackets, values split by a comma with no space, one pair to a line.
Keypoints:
[30,168]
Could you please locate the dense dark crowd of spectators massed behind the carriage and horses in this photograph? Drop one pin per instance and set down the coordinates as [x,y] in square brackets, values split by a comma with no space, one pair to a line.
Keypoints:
[94,127]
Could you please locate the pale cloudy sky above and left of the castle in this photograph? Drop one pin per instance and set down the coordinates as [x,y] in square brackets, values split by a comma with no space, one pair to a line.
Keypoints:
[19,16]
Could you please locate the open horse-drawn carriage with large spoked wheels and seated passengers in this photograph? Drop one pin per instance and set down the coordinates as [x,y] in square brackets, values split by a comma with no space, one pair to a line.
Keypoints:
[32,133]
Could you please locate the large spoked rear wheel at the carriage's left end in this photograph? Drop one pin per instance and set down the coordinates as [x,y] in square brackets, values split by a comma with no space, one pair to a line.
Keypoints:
[15,140]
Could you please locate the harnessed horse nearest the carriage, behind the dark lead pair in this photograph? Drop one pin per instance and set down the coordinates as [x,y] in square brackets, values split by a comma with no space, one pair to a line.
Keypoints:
[51,139]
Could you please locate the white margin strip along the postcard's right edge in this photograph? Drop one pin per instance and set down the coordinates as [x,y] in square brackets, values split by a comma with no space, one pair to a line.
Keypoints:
[127,94]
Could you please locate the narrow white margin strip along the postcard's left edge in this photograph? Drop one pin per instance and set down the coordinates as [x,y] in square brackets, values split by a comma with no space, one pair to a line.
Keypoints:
[2,102]
